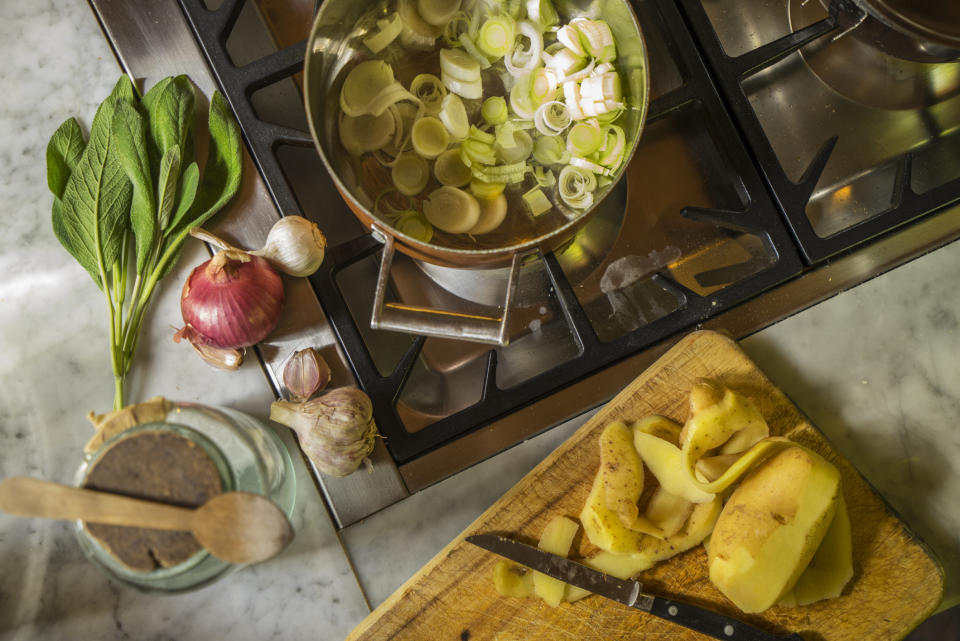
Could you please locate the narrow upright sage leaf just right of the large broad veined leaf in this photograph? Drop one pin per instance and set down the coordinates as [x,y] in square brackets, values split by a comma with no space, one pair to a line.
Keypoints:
[129,144]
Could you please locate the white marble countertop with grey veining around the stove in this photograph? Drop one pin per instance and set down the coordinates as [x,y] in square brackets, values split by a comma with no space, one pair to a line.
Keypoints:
[876,368]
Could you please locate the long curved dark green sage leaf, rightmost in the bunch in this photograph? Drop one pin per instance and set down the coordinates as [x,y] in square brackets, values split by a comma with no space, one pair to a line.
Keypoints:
[221,176]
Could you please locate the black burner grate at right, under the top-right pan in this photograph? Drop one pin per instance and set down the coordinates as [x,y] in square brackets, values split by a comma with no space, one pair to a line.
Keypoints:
[793,197]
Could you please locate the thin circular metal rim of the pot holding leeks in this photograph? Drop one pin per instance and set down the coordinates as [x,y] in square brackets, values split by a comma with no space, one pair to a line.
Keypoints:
[426,251]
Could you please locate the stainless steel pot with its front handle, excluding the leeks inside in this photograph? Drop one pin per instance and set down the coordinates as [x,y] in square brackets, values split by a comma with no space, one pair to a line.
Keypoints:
[335,46]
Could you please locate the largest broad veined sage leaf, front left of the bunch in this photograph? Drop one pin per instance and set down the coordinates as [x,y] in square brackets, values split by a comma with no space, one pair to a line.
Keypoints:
[91,219]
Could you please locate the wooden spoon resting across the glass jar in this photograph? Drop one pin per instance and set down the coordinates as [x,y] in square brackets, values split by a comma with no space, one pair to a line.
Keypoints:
[237,527]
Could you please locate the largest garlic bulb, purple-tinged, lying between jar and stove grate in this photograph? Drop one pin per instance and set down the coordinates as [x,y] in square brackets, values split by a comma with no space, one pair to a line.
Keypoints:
[336,430]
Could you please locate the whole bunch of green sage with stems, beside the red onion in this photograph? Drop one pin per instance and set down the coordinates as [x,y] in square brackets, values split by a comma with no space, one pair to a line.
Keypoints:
[125,200]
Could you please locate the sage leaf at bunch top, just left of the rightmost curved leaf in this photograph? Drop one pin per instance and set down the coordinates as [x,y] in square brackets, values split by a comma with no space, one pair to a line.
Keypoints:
[171,110]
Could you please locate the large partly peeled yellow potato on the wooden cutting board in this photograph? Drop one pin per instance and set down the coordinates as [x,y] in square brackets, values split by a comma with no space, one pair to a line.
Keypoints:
[771,527]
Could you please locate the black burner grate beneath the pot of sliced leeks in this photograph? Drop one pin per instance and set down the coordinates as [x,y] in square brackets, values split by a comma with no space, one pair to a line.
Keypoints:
[760,217]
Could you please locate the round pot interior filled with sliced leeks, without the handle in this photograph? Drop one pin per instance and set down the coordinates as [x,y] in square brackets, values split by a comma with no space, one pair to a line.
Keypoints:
[493,102]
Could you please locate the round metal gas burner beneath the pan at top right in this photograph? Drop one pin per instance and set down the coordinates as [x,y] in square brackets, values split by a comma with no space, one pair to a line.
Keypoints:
[875,65]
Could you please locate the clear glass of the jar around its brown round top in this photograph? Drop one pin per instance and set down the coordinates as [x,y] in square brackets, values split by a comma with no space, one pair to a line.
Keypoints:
[249,456]
